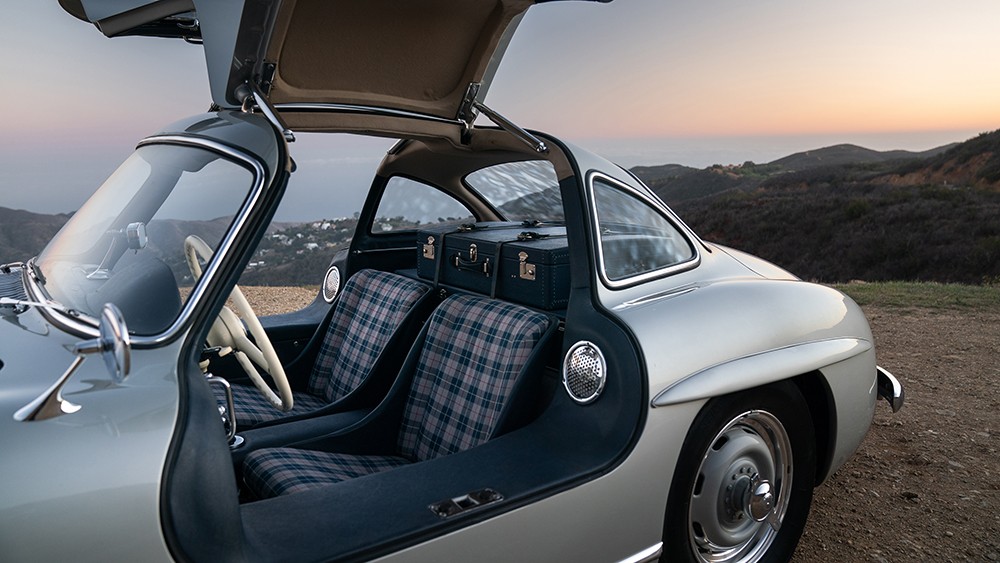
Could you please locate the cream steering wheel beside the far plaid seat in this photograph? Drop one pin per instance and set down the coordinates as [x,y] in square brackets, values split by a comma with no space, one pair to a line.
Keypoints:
[227,330]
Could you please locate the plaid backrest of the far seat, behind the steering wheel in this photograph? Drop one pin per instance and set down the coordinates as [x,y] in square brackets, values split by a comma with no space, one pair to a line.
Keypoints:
[372,306]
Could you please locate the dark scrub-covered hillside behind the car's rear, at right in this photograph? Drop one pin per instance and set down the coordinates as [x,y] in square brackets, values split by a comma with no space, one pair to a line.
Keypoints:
[930,219]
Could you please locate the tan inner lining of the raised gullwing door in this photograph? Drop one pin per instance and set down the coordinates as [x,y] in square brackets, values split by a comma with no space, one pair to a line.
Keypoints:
[415,55]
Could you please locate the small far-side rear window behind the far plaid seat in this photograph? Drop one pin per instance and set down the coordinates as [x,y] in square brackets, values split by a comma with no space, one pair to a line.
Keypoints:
[408,204]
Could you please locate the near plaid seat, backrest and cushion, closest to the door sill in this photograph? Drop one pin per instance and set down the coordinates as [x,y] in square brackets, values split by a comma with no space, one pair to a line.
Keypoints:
[471,359]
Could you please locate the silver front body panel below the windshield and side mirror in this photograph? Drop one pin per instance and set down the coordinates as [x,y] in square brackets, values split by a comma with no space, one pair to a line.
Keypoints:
[73,480]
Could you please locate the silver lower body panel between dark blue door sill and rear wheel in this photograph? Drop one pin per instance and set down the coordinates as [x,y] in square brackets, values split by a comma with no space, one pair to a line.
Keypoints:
[552,529]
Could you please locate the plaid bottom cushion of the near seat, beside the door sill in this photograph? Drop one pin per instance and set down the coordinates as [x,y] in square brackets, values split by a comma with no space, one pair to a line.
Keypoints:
[271,472]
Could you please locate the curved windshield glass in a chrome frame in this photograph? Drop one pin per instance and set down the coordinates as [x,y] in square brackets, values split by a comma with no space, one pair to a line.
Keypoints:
[126,244]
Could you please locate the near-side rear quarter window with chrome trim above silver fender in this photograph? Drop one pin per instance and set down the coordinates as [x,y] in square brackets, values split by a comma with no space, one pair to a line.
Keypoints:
[635,238]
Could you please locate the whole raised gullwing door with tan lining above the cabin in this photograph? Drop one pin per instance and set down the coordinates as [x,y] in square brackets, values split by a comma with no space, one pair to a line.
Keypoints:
[414,56]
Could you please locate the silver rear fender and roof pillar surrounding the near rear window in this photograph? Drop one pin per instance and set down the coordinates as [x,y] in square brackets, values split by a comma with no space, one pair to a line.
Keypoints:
[734,321]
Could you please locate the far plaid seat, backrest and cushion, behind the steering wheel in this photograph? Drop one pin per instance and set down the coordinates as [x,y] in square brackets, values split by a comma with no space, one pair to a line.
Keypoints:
[372,306]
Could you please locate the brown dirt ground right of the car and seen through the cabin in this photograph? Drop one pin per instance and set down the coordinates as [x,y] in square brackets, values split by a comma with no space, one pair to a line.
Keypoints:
[925,485]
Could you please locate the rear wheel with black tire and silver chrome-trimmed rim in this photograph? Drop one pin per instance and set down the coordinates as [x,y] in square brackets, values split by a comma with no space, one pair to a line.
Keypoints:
[744,479]
